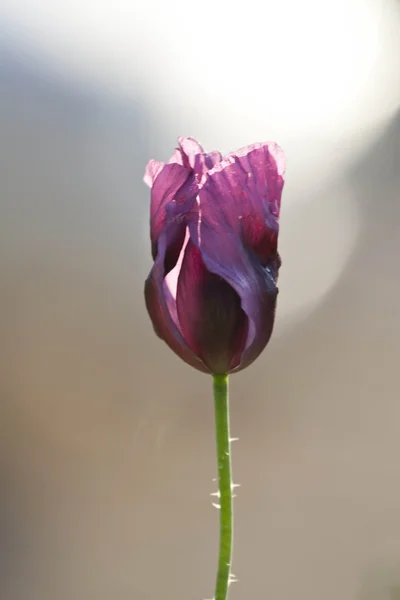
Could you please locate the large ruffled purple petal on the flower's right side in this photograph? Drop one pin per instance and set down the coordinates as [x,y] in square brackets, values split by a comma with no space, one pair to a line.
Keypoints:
[239,201]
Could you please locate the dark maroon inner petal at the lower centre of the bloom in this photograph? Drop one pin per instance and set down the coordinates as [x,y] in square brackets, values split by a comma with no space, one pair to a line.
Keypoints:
[210,315]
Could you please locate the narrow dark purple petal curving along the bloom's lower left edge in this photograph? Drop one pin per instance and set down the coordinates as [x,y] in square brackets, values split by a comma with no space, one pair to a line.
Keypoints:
[162,309]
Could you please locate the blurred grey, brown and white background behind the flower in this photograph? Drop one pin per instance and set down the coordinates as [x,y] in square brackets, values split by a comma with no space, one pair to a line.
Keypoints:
[106,439]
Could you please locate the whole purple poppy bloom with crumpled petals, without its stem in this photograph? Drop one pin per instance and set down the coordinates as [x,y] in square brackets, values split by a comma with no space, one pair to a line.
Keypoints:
[211,293]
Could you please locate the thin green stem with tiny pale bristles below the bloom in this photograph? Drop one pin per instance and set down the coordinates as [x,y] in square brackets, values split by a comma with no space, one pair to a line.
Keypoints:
[221,403]
